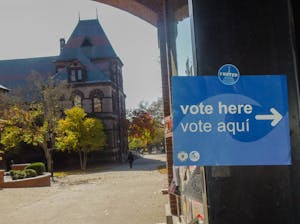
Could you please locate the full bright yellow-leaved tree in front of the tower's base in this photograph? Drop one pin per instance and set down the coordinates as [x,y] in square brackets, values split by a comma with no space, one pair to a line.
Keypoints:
[77,132]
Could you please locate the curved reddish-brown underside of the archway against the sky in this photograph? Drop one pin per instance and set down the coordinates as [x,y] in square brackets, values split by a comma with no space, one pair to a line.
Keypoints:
[148,10]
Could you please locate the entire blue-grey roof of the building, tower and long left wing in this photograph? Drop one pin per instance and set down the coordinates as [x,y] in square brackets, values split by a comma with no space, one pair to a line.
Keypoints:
[87,42]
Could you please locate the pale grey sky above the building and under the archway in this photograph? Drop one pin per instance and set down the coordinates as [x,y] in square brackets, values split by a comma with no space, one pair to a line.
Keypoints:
[32,28]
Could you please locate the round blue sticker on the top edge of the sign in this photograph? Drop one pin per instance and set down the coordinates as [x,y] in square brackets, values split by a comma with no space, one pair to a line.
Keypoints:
[228,74]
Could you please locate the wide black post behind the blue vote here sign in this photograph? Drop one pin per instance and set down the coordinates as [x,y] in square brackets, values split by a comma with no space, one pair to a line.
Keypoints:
[257,37]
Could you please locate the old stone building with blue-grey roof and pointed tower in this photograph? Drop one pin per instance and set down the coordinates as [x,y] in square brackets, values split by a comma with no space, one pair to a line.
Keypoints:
[88,62]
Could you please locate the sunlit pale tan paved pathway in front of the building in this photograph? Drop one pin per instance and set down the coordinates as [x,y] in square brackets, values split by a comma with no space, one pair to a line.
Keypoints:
[116,195]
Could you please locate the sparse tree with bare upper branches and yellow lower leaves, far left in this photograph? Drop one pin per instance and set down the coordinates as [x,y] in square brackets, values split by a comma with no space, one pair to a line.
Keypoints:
[39,104]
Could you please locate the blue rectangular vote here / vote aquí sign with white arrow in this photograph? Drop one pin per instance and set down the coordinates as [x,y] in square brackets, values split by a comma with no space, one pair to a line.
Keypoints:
[240,121]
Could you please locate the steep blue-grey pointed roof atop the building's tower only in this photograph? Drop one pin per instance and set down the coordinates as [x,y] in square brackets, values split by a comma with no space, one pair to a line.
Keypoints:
[89,36]
